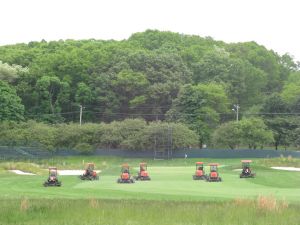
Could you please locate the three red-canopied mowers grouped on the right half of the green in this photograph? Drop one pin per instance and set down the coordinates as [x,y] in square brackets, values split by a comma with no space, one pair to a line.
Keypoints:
[213,175]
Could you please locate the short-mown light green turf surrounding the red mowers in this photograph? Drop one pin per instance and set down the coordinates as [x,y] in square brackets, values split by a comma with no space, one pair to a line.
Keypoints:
[171,180]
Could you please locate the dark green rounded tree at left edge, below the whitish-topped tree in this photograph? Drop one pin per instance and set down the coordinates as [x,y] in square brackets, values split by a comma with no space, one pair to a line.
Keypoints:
[11,107]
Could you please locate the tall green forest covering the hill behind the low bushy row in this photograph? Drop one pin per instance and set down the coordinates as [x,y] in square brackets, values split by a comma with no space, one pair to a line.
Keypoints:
[156,76]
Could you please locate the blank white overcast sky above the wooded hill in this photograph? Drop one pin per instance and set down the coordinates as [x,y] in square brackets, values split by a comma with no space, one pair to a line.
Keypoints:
[273,23]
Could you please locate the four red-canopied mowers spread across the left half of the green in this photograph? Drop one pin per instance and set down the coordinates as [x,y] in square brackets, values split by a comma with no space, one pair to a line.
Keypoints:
[91,174]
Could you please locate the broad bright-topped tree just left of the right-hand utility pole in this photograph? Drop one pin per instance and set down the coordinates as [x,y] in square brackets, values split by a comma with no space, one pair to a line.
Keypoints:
[200,106]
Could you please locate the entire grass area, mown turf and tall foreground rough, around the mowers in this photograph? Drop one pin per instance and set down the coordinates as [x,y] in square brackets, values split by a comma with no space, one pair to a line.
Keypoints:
[171,194]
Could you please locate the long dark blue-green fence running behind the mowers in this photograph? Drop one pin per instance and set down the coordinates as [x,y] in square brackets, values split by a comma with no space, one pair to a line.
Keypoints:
[22,152]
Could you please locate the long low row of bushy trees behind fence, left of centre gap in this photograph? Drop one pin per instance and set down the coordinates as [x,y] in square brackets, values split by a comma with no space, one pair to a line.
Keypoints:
[133,134]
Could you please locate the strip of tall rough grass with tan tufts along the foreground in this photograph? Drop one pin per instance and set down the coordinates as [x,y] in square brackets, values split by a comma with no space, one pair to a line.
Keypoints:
[263,210]
